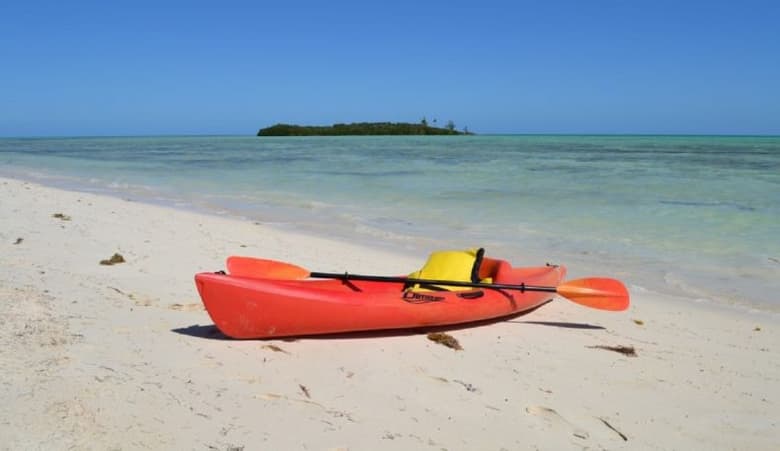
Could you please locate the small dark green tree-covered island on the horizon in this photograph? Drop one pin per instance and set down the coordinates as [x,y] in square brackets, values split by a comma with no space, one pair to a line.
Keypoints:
[362,128]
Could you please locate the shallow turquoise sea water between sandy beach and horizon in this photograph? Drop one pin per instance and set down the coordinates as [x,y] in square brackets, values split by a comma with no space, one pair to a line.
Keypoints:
[696,216]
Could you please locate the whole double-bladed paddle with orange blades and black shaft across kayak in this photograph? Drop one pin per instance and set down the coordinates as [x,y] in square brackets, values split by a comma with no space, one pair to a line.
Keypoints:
[595,292]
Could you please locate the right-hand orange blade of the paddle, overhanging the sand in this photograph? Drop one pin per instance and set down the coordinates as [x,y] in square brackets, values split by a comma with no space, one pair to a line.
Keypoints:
[596,292]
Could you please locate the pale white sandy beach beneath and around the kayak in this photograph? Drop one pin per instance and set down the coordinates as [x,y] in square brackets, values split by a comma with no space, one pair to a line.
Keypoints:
[124,357]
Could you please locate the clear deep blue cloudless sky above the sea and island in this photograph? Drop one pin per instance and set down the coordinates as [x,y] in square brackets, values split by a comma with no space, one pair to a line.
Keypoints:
[230,67]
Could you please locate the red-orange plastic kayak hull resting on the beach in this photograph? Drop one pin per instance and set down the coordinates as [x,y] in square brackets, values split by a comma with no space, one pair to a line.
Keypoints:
[254,307]
